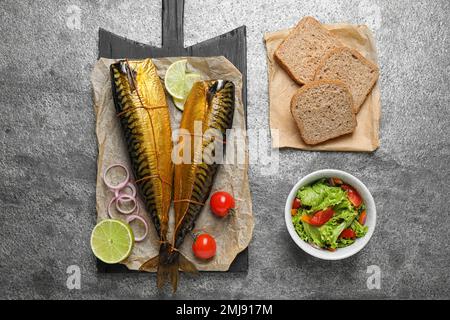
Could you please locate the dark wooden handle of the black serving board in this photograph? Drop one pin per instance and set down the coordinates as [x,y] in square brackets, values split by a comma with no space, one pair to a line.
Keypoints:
[172,23]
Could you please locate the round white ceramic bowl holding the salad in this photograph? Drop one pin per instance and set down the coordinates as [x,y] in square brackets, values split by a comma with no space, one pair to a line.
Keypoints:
[341,253]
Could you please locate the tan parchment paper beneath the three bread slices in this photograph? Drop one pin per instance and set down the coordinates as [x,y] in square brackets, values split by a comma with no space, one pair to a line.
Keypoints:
[282,88]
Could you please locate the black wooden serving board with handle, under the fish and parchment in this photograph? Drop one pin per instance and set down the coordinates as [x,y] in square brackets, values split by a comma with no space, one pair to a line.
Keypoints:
[232,45]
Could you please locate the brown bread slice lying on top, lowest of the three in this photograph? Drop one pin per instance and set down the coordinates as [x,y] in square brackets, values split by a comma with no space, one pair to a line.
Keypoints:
[323,110]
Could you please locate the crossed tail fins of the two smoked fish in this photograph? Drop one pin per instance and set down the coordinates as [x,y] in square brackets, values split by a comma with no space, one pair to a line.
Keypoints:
[168,263]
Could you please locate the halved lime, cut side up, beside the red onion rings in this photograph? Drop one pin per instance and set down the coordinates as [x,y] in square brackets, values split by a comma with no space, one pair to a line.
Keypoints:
[112,241]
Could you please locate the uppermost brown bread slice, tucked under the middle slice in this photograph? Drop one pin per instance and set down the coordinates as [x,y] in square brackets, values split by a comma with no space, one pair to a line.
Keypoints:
[300,53]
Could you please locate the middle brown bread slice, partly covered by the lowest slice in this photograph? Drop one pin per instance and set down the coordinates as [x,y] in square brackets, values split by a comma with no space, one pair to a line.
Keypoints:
[349,66]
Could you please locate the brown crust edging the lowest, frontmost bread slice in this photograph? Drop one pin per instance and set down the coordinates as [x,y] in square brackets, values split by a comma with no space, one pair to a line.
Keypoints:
[310,85]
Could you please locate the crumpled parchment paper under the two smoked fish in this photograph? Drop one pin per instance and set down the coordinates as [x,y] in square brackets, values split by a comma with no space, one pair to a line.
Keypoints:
[232,234]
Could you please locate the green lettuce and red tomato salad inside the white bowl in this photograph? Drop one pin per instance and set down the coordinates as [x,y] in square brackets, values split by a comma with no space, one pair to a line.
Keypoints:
[329,214]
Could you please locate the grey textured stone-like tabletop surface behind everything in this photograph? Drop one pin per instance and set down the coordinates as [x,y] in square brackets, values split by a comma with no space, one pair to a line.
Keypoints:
[48,152]
